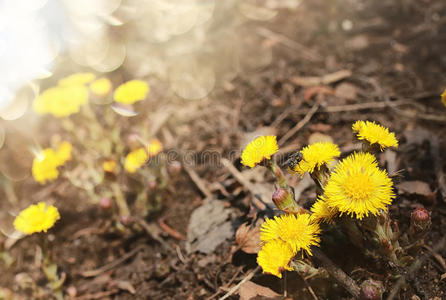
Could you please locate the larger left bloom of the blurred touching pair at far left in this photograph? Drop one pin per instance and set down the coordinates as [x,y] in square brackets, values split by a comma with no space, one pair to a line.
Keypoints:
[45,165]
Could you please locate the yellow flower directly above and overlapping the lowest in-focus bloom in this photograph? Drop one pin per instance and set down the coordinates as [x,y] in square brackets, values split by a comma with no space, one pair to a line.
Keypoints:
[296,230]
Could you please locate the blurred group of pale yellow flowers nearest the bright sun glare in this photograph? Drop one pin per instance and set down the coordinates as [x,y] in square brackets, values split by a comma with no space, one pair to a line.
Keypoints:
[72,92]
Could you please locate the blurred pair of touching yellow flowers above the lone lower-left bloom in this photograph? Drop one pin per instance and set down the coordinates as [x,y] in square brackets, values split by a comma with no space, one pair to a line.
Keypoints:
[47,161]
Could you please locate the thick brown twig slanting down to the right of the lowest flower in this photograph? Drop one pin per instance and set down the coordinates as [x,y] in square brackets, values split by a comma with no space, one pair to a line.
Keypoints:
[346,281]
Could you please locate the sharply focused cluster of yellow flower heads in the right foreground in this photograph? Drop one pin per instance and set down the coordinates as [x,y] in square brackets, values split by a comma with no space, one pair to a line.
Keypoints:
[356,186]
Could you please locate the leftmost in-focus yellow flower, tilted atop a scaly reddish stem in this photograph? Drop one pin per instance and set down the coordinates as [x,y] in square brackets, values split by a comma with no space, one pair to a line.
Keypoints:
[259,149]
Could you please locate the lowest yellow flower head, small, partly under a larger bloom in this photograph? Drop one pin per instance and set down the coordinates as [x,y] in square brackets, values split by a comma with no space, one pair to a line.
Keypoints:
[274,257]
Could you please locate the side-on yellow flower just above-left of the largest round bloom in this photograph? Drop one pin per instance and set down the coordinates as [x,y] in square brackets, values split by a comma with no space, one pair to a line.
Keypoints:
[316,155]
